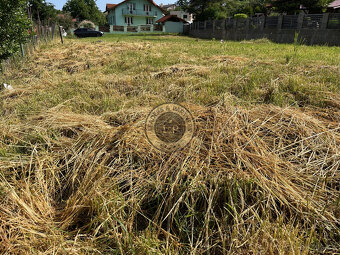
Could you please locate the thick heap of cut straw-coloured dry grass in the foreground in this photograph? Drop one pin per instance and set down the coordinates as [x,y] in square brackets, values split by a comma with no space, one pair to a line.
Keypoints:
[264,180]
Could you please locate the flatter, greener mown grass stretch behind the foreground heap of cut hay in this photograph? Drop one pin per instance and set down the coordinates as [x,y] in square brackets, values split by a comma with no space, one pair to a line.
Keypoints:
[119,72]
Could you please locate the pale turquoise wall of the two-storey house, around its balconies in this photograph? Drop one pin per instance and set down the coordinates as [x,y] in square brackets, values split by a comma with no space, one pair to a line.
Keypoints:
[116,17]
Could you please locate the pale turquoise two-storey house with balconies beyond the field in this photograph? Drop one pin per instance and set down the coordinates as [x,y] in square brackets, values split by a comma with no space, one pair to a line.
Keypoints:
[133,13]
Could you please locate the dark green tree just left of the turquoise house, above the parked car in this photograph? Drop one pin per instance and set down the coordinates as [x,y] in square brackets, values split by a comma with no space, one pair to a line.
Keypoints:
[85,10]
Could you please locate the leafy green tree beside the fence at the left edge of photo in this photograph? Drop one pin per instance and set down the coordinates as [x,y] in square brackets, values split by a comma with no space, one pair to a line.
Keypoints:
[14,26]
